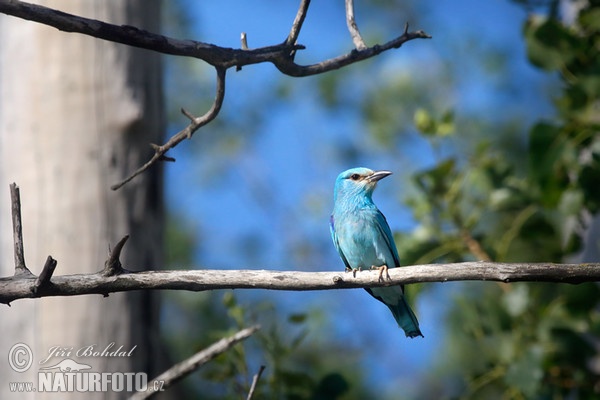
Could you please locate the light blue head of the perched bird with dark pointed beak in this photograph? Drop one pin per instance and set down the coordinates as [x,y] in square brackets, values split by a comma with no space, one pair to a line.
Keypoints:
[357,183]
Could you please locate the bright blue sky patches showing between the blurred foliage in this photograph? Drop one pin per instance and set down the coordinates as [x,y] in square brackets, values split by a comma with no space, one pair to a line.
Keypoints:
[276,194]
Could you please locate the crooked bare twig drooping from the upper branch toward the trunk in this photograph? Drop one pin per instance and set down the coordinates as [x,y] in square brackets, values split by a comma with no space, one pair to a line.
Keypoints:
[197,122]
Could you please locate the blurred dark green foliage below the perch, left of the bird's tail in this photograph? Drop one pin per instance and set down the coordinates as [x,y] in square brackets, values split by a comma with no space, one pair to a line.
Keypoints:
[295,368]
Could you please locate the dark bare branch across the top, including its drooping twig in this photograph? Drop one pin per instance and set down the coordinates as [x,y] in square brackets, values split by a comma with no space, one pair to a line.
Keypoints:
[281,55]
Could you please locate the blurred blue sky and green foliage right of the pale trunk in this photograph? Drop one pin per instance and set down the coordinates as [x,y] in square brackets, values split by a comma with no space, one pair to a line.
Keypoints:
[491,131]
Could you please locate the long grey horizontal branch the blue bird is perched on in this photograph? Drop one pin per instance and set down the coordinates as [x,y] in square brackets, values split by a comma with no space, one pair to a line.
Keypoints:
[14,288]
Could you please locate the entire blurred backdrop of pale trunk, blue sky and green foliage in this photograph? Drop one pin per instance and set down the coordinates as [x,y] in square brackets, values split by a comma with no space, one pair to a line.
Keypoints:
[490,129]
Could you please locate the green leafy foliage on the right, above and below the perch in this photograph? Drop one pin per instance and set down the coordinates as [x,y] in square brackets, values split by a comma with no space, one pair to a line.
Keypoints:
[521,341]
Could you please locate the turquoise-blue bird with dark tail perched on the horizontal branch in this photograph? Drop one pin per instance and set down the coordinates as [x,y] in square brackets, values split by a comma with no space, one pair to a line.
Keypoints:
[364,239]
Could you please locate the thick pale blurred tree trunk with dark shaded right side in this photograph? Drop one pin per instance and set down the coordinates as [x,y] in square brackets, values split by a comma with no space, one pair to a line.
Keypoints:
[76,115]
